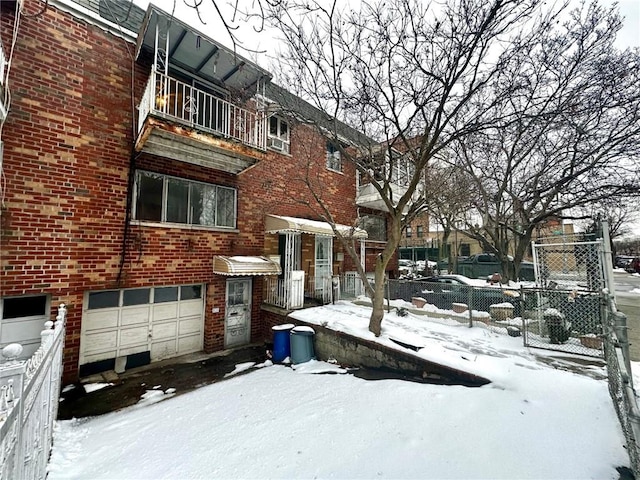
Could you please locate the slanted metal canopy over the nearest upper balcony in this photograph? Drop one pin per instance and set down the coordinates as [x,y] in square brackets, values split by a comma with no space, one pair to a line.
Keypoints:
[198,54]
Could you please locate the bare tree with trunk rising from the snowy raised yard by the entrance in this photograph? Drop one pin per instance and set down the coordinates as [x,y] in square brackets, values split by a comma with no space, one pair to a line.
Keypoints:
[416,77]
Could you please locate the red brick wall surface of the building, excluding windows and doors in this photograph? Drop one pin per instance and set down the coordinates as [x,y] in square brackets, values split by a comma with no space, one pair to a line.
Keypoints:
[67,161]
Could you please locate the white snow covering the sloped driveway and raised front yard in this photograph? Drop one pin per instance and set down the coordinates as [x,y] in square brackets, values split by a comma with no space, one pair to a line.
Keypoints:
[533,421]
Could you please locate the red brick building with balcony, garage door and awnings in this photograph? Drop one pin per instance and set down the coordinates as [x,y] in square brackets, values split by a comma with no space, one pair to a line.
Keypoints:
[157,184]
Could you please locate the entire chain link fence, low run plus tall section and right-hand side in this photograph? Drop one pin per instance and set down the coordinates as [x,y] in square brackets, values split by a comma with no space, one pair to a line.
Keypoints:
[569,309]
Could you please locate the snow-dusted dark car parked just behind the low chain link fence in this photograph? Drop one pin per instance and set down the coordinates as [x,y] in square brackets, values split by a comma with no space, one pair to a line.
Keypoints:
[444,290]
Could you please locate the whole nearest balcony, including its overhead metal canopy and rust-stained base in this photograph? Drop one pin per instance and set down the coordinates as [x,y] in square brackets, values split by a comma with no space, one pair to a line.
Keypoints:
[185,113]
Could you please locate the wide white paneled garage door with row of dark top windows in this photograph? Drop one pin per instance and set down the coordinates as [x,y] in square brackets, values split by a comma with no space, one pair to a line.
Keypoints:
[165,321]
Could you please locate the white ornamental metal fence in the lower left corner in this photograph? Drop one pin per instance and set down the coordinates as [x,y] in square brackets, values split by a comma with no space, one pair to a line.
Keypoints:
[29,391]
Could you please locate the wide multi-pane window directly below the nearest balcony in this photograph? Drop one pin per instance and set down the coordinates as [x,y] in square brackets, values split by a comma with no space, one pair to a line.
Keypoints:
[161,198]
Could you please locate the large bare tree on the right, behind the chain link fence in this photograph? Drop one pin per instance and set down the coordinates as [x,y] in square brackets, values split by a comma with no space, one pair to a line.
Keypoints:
[571,139]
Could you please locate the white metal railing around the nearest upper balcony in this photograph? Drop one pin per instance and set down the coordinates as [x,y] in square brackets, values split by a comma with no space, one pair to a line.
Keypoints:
[173,99]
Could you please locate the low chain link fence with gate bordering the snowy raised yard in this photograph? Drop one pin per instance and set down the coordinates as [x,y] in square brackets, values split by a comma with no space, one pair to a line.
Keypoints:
[550,318]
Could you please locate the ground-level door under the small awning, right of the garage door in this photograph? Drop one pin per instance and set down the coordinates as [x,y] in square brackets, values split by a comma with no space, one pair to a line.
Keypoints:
[237,325]
